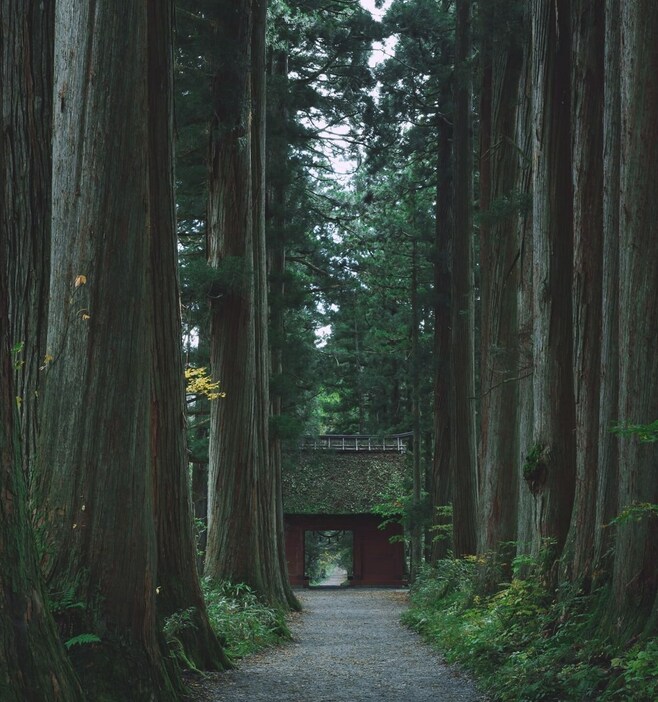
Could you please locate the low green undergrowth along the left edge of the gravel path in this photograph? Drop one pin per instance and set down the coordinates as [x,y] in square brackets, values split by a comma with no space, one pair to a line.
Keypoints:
[242,622]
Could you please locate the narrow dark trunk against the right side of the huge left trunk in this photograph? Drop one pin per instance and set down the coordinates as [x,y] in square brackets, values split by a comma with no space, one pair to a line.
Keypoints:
[177,578]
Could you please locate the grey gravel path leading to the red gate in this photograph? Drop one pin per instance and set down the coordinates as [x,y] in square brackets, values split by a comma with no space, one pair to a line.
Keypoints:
[348,646]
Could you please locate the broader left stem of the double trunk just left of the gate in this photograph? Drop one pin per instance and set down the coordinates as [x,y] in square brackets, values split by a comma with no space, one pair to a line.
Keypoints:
[233,543]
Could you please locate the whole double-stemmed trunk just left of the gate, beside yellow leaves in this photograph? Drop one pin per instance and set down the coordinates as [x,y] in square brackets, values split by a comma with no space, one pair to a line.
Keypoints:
[243,539]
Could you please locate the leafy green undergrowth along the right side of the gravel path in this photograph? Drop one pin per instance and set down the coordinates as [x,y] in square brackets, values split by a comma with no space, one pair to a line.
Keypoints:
[523,642]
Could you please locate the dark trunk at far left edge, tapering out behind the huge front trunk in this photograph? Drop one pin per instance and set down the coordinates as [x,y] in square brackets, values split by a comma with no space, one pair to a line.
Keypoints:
[27,117]
